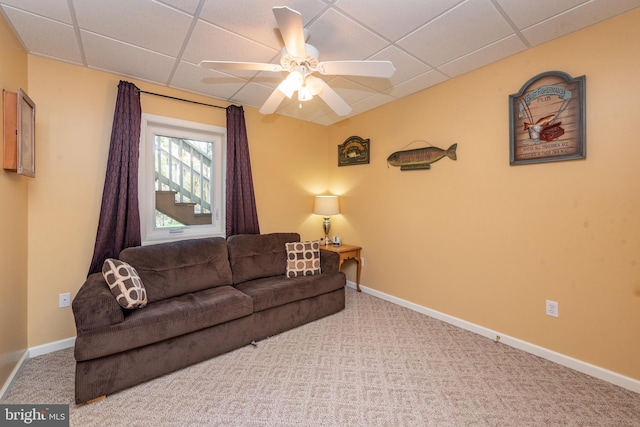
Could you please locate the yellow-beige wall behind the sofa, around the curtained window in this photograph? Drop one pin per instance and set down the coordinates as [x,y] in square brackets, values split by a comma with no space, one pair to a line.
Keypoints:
[75,113]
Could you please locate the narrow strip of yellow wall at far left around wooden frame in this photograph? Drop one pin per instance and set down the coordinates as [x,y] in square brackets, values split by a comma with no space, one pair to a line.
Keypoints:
[13,222]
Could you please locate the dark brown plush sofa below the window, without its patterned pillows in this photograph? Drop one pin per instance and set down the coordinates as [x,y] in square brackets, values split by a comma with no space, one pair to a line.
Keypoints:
[205,297]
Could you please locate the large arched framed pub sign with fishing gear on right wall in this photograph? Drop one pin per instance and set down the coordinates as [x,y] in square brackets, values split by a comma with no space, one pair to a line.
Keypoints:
[547,119]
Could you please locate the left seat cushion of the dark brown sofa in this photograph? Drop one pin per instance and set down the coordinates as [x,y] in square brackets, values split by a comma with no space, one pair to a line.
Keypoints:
[165,319]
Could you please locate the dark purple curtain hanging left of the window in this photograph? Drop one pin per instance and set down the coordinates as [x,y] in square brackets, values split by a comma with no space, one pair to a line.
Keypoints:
[119,224]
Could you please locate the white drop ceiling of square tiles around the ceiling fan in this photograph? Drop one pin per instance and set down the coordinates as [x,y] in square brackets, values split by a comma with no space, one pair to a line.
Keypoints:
[162,41]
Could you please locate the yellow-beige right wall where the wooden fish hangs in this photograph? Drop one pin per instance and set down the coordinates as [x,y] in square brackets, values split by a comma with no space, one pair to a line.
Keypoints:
[487,242]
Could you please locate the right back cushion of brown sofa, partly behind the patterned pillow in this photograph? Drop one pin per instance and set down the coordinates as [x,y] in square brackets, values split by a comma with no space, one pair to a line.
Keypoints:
[253,256]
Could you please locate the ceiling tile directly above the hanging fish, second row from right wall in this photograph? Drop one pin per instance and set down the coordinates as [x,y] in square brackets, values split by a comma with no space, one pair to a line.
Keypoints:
[453,34]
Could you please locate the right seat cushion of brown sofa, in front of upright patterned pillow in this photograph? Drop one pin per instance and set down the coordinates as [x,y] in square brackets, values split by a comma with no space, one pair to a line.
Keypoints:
[275,291]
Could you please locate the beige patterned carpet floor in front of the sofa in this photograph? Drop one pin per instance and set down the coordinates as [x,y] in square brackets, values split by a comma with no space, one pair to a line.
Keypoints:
[373,364]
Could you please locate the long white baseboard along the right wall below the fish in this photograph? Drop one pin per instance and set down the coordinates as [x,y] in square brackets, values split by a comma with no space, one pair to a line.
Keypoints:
[561,359]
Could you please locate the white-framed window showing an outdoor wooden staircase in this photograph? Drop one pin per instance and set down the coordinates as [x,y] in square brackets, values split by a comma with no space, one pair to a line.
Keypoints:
[181,179]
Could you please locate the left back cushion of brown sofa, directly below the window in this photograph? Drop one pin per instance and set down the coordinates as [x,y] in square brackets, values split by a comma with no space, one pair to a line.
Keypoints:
[176,268]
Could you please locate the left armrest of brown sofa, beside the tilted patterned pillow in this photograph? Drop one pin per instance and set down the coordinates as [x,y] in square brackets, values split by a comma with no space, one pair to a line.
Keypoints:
[94,305]
